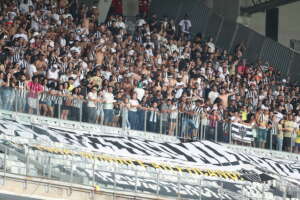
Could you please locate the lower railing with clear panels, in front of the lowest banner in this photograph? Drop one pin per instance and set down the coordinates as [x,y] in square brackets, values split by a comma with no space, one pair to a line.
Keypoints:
[21,160]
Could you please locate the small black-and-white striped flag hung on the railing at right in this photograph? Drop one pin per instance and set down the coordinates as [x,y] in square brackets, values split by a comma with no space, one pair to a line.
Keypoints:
[242,133]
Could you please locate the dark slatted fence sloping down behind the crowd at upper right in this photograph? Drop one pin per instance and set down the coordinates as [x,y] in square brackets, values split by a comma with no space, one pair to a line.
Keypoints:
[228,34]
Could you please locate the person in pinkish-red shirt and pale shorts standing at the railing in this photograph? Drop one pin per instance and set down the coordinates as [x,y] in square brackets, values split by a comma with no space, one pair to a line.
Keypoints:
[35,88]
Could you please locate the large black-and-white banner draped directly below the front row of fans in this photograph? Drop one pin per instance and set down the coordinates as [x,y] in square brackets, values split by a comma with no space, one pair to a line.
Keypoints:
[202,155]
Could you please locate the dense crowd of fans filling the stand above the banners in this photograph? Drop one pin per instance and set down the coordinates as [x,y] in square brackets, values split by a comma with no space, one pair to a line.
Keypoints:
[56,53]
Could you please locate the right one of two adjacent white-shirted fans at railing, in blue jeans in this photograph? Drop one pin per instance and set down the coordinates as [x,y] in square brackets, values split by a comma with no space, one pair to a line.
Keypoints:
[108,106]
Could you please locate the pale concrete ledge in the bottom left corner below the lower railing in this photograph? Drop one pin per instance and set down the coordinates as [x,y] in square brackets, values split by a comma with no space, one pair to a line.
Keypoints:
[37,188]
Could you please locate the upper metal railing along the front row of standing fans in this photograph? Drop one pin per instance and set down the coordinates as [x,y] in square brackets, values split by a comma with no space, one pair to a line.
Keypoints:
[171,122]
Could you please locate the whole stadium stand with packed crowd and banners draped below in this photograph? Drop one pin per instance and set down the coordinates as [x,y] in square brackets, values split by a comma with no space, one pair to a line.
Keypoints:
[131,98]
